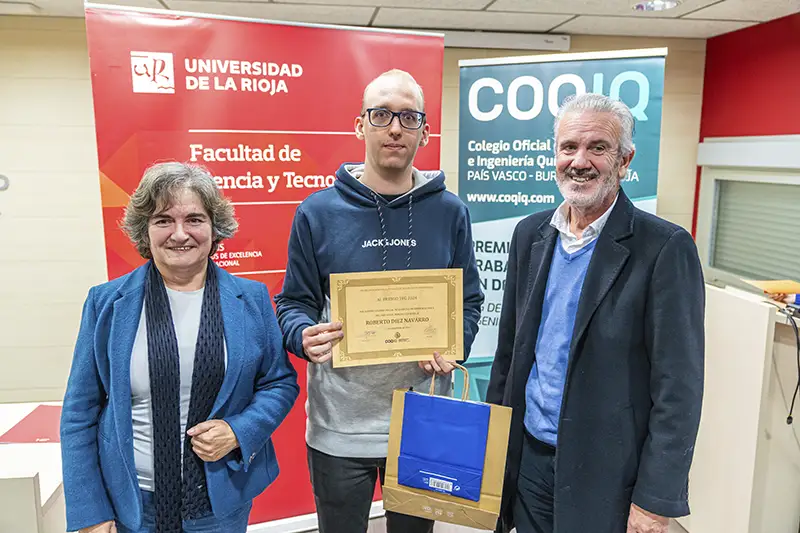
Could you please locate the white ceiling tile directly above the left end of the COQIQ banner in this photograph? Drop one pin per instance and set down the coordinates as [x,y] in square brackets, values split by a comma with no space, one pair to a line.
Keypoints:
[466,20]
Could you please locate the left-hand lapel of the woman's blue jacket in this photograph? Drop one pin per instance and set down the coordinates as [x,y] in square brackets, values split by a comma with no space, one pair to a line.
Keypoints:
[127,311]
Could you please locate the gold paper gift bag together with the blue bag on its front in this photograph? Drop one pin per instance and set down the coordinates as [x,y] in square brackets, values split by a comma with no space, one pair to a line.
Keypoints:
[446,458]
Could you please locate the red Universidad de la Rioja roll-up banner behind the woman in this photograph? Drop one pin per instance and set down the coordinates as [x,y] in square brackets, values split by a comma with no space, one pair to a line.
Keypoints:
[268,108]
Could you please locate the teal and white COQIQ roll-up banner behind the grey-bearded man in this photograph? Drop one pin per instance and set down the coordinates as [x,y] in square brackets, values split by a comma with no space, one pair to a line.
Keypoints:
[507,153]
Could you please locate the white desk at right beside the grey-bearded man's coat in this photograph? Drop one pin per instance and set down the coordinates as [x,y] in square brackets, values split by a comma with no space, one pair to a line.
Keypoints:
[745,477]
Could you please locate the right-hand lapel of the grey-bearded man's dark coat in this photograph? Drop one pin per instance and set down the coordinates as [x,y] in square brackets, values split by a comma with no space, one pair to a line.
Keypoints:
[608,260]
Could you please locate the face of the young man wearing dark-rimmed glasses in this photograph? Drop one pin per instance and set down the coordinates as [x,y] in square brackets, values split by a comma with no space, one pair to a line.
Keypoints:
[391,149]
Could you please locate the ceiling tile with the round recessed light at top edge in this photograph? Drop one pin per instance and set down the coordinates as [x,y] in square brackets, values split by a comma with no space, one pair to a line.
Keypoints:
[595,7]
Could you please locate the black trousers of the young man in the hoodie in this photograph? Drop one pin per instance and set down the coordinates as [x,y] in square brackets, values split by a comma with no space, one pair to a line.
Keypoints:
[343,489]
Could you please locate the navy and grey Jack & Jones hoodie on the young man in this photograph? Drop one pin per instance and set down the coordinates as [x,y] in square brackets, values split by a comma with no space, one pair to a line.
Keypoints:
[350,228]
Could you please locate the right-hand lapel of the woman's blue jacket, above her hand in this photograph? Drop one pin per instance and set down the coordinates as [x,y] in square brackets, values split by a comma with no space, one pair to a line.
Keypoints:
[233,320]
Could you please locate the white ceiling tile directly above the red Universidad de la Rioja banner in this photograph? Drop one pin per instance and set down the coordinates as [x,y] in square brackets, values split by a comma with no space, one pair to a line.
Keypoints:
[291,13]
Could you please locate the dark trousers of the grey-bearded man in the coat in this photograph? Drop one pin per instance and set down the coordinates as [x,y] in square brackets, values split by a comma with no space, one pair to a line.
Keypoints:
[533,508]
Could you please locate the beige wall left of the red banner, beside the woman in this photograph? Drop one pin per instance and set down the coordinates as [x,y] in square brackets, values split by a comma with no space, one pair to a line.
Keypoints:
[51,239]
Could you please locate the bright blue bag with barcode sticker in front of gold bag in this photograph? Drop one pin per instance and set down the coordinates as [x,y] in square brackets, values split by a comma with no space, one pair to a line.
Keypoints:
[443,443]
